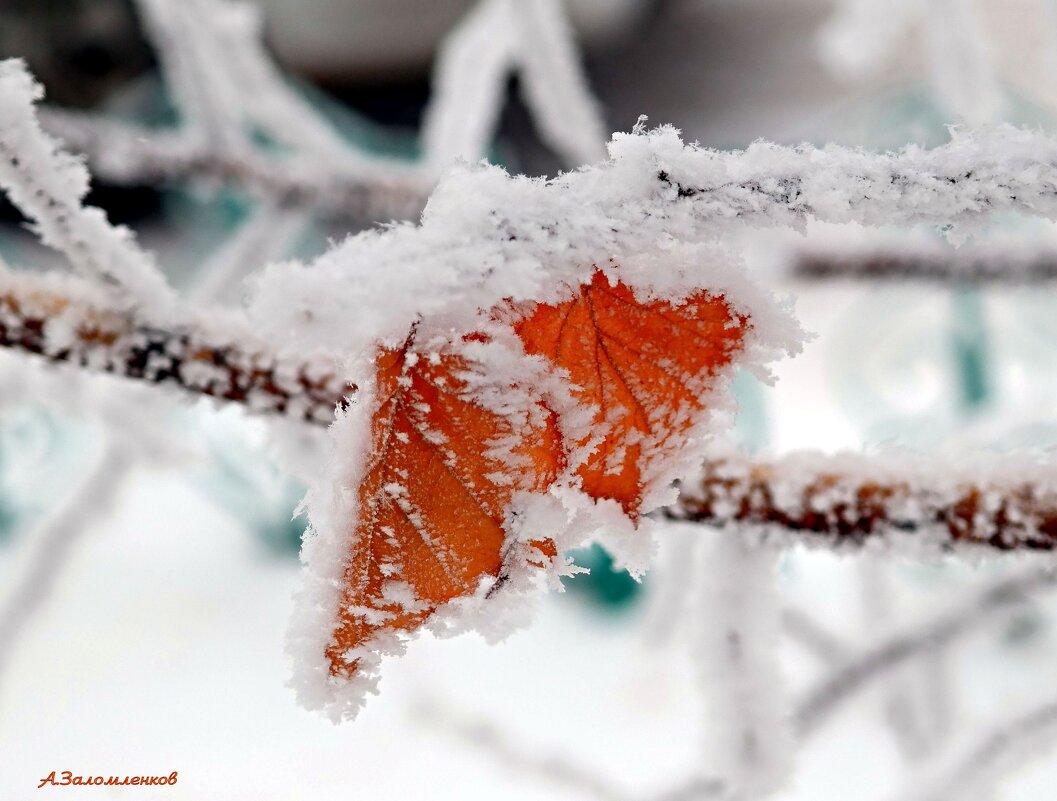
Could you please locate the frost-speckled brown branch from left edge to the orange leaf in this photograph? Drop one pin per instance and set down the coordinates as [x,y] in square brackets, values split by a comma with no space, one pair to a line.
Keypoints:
[70,323]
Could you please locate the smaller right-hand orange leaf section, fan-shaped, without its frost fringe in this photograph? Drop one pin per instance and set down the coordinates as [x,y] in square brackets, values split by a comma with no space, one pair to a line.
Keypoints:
[646,367]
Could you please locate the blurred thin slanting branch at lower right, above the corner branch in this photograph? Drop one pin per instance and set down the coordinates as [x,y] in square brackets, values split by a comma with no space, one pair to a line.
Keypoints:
[938,634]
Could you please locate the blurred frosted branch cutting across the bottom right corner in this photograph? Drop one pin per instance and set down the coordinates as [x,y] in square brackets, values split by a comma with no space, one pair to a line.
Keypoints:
[981,766]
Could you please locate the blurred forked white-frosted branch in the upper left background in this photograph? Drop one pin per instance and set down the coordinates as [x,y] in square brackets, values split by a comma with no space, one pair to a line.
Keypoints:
[230,91]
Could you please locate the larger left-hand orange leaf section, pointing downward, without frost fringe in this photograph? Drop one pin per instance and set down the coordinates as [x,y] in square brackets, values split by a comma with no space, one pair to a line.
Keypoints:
[435,496]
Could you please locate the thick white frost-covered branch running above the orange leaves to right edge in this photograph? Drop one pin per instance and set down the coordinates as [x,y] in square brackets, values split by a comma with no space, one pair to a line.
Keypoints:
[487,236]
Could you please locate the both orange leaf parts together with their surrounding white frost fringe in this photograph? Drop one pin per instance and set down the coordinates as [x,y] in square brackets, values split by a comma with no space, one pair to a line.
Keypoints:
[471,465]
